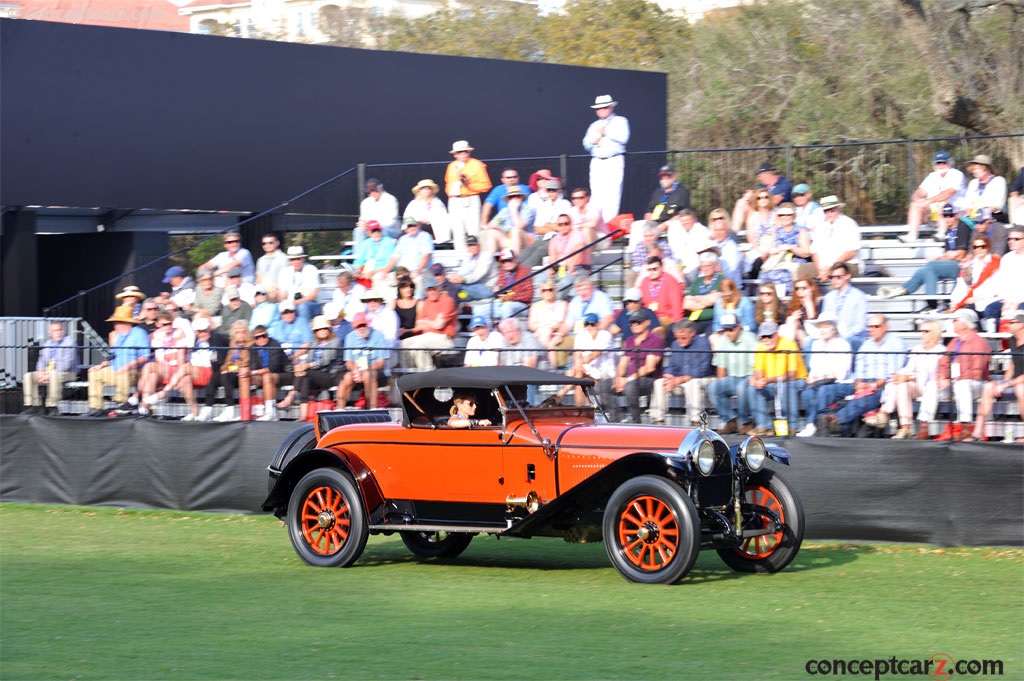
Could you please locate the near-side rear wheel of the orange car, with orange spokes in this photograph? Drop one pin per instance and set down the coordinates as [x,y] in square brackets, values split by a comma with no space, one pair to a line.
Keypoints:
[326,521]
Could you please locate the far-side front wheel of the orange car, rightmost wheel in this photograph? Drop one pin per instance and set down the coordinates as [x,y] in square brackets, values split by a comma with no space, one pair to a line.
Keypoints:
[769,554]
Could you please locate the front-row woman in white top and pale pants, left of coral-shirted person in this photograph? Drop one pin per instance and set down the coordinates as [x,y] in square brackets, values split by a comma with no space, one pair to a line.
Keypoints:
[909,384]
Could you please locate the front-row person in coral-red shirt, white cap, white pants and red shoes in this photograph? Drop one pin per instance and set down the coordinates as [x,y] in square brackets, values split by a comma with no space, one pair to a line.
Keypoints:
[963,371]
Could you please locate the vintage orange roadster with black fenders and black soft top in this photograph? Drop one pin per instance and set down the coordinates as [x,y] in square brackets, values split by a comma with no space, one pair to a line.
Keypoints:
[525,465]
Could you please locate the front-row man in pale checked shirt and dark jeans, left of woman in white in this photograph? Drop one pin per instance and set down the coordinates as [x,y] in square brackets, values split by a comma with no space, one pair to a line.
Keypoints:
[876,363]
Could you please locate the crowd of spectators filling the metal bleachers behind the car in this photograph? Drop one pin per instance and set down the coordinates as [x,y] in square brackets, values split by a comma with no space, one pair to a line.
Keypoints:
[802,355]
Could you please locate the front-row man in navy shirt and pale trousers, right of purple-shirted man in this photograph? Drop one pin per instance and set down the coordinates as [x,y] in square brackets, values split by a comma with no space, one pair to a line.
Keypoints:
[688,371]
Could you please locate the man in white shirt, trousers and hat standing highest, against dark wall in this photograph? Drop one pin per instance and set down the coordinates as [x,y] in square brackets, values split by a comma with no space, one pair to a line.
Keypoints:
[606,140]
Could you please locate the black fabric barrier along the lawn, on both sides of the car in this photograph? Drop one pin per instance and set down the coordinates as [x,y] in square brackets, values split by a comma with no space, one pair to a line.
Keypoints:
[933,493]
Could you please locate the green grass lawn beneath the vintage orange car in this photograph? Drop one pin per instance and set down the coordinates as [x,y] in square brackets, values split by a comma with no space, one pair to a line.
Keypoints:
[97,593]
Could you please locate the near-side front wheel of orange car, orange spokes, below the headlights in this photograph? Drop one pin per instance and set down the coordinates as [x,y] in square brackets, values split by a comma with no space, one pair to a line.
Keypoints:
[652,531]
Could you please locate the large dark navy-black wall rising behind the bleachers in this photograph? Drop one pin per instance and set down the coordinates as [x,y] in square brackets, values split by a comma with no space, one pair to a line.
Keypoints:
[119,118]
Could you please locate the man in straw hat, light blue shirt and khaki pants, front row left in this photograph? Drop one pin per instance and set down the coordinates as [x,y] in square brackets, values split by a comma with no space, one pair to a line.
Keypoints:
[131,347]
